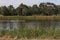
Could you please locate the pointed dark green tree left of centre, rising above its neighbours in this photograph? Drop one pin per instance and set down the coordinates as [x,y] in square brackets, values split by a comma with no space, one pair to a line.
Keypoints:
[22,9]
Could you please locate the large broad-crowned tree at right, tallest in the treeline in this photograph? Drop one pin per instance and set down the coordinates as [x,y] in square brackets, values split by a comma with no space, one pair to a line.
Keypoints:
[48,8]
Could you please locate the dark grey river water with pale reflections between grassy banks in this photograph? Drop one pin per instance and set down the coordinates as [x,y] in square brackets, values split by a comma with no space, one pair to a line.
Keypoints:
[13,24]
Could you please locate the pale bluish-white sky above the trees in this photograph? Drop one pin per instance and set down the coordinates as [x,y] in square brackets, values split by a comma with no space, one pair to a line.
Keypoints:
[15,3]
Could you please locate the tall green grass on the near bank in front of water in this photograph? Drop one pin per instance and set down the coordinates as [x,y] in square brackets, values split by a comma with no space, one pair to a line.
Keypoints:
[32,33]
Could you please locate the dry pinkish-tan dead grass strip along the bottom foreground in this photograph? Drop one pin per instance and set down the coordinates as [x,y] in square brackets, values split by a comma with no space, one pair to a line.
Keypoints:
[7,37]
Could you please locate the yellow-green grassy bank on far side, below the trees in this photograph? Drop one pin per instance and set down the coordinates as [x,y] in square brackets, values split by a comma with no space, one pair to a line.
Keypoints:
[30,17]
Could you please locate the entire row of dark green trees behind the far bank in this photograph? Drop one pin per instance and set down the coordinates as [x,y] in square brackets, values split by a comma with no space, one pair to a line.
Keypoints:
[46,9]
